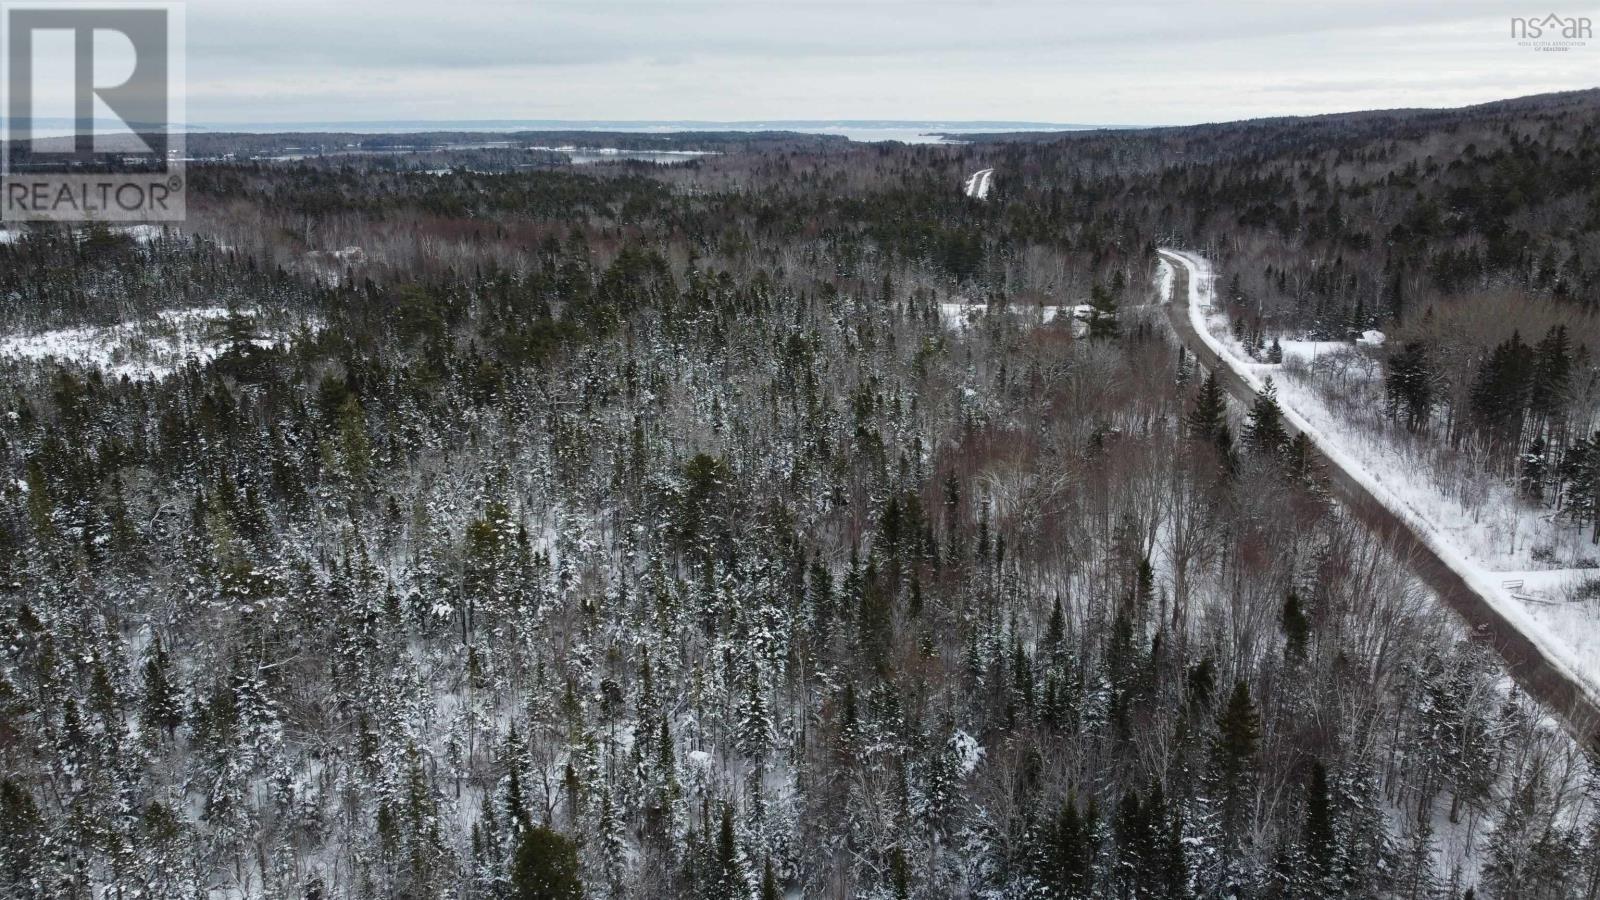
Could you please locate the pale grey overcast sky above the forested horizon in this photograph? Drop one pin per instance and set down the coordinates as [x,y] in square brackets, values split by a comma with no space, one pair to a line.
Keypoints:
[1106,62]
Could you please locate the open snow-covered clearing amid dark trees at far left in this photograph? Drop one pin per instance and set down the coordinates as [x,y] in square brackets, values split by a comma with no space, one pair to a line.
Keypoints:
[148,350]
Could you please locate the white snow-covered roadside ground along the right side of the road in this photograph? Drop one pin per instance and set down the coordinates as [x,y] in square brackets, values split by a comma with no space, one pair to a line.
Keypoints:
[1489,536]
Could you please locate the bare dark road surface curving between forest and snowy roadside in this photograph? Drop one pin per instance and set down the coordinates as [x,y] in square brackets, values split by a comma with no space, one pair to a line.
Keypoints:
[1530,667]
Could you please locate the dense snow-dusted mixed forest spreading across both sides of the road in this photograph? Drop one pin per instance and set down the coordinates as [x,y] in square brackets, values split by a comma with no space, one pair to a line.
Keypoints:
[644,531]
